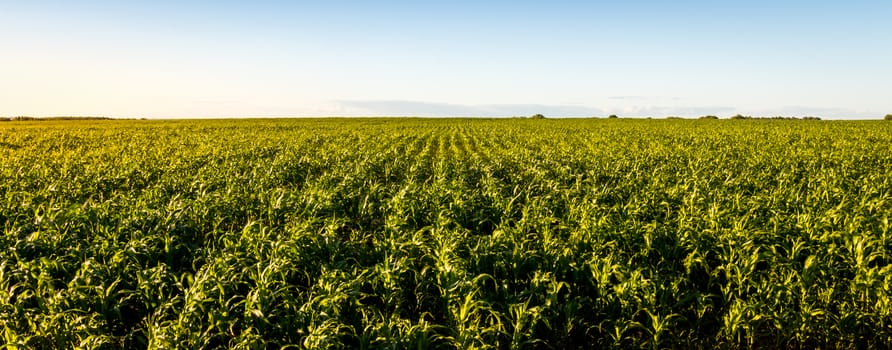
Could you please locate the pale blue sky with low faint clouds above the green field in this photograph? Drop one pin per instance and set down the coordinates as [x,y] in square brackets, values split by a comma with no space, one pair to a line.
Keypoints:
[447,58]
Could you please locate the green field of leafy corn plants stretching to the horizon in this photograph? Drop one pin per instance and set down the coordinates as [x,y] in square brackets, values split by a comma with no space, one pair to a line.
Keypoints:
[445,234]
